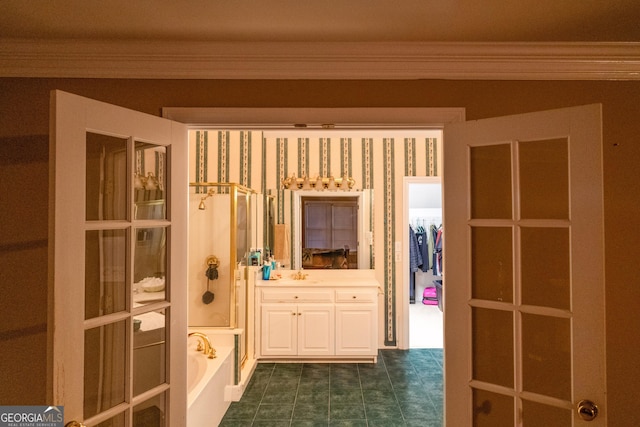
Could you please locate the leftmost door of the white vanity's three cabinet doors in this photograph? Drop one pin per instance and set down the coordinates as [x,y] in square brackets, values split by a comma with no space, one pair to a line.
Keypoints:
[279,330]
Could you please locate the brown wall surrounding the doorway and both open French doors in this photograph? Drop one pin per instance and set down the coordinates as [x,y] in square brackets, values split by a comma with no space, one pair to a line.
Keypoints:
[23,165]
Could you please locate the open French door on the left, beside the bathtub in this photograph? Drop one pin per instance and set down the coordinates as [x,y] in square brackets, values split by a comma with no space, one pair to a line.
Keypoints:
[118,253]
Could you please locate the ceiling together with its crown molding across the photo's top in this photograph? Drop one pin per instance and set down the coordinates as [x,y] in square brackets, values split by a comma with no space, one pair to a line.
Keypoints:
[322,39]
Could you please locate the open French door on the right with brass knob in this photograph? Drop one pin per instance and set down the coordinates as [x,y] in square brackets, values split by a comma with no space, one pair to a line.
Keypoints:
[524,270]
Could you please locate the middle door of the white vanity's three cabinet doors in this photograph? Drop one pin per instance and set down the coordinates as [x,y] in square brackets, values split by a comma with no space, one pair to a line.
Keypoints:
[316,330]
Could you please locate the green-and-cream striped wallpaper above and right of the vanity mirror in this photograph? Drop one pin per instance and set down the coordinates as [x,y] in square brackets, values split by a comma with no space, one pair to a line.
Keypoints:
[377,160]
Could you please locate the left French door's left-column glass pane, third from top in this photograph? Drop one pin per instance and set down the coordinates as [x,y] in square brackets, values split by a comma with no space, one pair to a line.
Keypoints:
[104,367]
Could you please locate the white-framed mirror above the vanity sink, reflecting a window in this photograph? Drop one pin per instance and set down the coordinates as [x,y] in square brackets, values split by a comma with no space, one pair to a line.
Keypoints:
[329,229]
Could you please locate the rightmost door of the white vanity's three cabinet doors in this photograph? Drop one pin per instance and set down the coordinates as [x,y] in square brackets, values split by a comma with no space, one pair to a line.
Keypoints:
[356,330]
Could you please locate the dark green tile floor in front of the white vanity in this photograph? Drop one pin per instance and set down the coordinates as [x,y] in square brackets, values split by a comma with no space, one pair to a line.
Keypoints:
[403,389]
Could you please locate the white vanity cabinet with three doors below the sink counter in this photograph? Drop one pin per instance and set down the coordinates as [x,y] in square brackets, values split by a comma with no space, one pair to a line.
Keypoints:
[316,322]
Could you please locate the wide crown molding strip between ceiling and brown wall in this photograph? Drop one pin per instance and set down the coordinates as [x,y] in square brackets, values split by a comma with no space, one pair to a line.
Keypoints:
[318,60]
